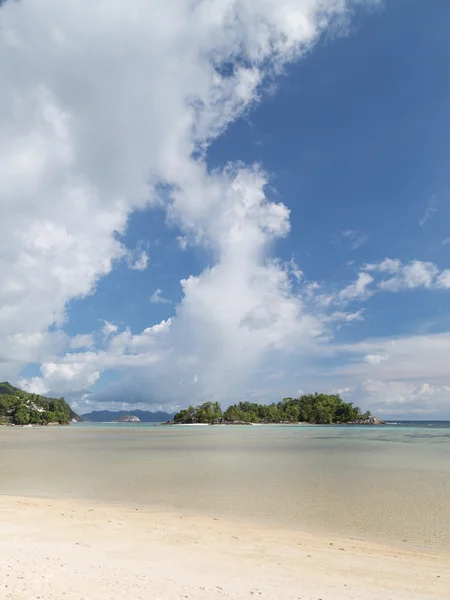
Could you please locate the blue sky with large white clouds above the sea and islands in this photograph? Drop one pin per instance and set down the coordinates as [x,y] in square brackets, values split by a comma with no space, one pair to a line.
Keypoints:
[226,200]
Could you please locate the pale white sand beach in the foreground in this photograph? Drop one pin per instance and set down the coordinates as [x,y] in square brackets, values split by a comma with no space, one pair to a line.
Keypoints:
[71,550]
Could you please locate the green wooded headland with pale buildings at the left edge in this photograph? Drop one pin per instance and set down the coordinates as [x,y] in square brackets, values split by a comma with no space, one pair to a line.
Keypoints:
[21,408]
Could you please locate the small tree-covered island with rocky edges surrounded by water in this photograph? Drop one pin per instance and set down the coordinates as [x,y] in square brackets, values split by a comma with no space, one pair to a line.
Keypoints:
[310,408]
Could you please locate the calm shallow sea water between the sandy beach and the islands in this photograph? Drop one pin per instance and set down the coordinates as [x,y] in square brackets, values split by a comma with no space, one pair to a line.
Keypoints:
[385,483]
